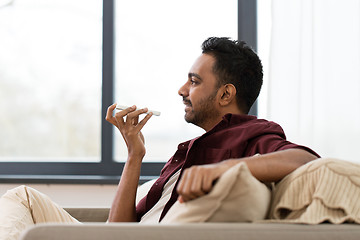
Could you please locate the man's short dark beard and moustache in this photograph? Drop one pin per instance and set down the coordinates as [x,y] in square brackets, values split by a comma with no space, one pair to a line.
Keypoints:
[205,111]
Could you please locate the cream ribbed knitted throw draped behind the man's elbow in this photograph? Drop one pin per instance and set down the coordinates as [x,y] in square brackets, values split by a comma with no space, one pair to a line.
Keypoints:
[324,190]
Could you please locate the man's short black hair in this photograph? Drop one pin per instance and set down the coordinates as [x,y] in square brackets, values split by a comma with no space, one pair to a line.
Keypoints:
[238,64]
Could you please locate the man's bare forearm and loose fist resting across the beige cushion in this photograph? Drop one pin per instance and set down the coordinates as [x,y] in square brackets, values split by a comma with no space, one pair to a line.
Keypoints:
[197,181]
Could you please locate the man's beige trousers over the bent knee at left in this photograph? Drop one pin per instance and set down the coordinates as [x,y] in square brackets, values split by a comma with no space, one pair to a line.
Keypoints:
[23,206]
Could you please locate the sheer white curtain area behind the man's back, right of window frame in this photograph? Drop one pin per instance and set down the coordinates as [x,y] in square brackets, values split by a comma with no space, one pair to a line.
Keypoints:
[311,55]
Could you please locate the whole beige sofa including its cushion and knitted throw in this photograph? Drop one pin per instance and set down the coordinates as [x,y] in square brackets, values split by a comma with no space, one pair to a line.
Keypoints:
[320,200]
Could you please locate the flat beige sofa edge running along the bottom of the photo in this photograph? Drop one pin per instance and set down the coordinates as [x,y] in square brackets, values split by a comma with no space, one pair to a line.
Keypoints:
[208,231]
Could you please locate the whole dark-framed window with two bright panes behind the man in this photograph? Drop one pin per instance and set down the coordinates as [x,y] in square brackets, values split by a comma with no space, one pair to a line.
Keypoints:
[56,83]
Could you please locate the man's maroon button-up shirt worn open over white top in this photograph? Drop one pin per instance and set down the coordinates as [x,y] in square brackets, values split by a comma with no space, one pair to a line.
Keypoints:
[236,136]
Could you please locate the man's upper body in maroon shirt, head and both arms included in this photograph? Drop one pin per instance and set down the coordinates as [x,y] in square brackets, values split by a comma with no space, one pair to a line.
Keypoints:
[222,85]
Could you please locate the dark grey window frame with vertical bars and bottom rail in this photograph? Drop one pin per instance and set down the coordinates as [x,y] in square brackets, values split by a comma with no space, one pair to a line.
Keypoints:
[107,171]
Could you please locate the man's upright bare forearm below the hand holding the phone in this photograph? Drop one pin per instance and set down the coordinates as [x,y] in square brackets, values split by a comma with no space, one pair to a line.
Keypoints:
[123,206]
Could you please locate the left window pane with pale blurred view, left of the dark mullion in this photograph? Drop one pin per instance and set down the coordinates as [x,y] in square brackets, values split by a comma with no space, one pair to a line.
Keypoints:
[50,80]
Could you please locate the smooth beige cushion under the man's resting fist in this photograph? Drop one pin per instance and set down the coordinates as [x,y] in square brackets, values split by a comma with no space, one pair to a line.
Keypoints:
[236,197]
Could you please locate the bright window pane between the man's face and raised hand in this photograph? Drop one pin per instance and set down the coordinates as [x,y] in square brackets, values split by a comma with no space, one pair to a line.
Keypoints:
[156,44]
